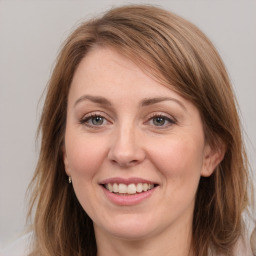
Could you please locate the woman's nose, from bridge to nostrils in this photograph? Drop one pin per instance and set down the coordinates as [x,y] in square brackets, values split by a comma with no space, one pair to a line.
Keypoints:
[126,149]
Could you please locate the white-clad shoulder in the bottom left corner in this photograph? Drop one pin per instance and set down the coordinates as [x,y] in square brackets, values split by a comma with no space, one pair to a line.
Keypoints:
[20,247]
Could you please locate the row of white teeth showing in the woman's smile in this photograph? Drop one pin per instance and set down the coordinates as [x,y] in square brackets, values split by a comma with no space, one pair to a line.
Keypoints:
[128,189]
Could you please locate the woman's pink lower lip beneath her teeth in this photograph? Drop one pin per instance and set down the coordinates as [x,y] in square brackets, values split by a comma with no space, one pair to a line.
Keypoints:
[124,200]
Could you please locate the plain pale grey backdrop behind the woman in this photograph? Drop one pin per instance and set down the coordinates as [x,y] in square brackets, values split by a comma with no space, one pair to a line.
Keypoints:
[31,33]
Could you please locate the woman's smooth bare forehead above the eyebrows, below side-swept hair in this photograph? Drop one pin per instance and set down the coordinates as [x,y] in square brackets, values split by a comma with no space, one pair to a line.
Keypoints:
[104,69]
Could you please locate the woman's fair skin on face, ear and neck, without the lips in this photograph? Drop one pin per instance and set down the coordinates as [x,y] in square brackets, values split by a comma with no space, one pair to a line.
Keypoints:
[128,143]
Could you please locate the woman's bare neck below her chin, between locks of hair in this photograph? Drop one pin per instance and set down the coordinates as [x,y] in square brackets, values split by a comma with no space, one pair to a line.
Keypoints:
[169,243]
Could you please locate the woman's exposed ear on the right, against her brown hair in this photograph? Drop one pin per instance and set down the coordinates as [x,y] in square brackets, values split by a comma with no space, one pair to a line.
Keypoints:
[212,158]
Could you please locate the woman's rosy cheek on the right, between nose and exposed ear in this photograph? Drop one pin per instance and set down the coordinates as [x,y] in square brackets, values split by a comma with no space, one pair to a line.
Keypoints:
[179,161]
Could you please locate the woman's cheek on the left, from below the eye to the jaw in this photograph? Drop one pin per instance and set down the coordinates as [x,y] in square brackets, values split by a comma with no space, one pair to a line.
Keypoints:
[85,155]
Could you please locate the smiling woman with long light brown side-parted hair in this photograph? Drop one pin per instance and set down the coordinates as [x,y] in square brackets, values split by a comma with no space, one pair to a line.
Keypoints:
[141,144]
